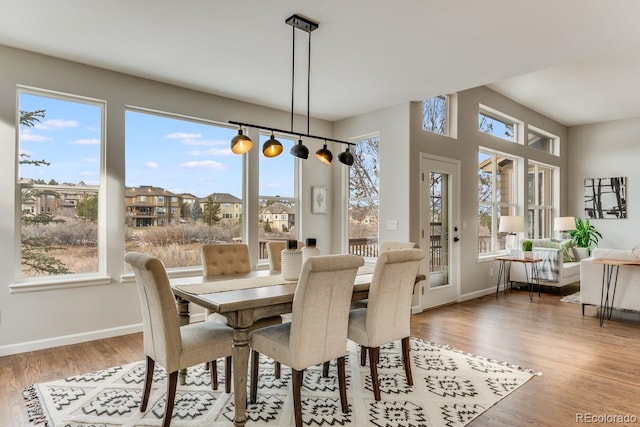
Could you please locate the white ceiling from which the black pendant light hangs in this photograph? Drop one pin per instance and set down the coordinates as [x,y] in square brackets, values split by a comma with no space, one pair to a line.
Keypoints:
[576,61]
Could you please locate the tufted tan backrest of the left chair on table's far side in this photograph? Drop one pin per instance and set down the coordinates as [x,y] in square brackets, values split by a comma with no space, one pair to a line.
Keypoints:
[225,258]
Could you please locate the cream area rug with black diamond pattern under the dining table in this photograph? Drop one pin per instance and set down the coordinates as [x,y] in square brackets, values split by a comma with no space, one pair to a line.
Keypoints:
[451,388]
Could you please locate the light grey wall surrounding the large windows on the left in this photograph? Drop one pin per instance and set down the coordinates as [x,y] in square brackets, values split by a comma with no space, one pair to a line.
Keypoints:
[47,318]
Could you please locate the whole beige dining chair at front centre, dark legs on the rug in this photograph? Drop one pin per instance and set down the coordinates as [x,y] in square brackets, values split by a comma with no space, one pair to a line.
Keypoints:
[318,329]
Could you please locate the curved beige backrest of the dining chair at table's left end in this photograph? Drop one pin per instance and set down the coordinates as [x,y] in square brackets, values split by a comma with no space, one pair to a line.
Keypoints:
[160,320]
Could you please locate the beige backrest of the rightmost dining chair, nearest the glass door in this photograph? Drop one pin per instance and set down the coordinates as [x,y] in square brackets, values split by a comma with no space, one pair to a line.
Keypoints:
[389,303]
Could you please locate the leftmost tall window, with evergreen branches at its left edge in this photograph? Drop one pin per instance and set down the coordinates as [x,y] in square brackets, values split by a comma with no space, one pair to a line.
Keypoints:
[60,151]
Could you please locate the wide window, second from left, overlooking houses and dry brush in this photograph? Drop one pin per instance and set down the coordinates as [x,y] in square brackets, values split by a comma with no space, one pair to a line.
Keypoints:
[188,160]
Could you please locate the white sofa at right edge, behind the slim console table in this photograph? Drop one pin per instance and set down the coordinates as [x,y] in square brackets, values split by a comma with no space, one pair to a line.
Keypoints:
[627,294]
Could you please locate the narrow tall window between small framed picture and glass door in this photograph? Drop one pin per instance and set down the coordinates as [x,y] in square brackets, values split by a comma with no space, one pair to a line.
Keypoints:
[364,198]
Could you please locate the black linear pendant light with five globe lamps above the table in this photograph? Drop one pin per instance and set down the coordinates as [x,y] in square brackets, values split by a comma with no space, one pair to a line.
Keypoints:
[241,143]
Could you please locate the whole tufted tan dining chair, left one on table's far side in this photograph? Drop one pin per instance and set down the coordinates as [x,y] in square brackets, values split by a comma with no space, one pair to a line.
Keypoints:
[230,258]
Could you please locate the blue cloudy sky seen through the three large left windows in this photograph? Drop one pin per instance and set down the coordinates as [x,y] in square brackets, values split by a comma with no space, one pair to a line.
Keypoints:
[182,156]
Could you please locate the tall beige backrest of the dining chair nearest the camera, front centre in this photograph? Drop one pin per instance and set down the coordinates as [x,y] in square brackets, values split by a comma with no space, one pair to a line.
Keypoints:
[320,313]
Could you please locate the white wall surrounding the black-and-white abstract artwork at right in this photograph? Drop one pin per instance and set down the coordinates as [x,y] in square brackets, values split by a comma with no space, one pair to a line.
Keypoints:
[603,150]
